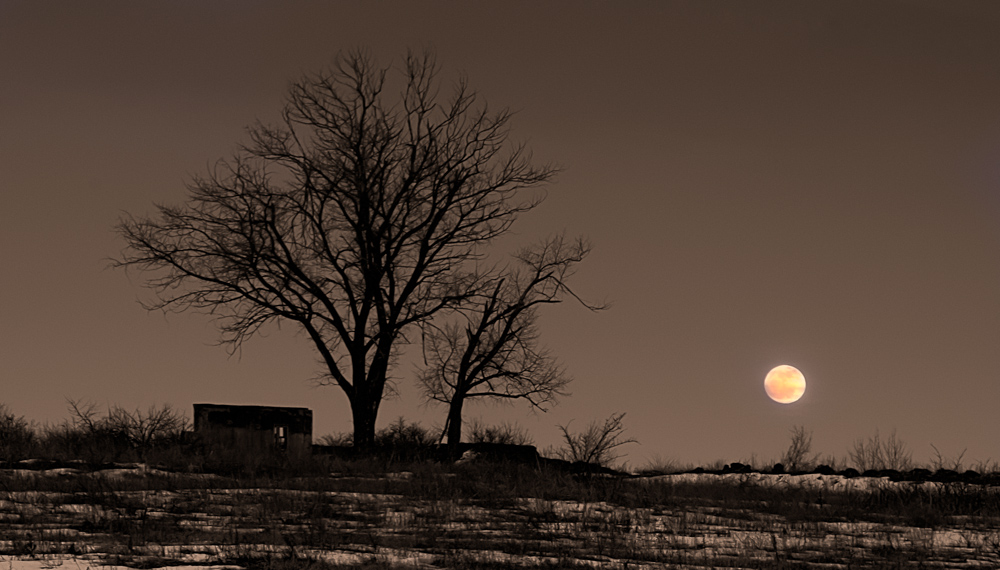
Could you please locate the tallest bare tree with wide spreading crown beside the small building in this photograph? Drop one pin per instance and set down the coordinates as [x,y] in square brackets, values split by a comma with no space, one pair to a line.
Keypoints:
[359,216]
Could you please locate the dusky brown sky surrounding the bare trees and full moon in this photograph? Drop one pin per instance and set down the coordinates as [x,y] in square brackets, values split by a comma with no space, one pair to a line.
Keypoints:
[764,183]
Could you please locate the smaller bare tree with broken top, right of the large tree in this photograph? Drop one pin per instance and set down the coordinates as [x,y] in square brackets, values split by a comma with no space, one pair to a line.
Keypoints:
[493,352]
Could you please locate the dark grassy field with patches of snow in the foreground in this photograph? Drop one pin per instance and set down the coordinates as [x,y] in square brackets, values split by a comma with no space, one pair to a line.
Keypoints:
[487,515]
